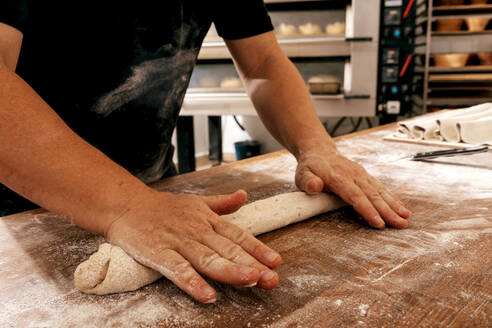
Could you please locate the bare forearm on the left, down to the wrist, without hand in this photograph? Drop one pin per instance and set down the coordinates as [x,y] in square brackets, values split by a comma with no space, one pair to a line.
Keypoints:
[46,162]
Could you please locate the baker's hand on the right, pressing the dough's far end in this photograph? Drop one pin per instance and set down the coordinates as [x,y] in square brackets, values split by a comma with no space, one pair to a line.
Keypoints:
[323,168]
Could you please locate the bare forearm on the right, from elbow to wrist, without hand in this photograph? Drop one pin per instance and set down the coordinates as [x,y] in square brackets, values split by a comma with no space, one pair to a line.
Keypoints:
[283,103]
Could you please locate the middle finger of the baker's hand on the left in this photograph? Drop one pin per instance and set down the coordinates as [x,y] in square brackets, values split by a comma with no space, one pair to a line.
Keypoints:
[235,253]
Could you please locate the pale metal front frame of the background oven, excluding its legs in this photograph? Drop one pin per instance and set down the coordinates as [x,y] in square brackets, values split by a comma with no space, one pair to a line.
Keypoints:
[359,48]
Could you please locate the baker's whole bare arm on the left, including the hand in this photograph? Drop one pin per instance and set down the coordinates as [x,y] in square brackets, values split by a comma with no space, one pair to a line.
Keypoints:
[181,236]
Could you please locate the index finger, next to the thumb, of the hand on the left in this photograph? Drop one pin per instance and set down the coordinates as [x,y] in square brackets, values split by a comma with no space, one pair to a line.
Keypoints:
[250,244]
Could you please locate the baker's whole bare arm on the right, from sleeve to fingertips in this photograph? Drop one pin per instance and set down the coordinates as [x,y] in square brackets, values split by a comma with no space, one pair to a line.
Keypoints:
[283,103]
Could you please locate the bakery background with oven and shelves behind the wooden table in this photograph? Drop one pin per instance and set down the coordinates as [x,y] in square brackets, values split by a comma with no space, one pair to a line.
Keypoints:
[365,64]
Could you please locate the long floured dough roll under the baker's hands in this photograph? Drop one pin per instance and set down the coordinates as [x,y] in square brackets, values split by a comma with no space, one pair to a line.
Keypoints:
[111,270]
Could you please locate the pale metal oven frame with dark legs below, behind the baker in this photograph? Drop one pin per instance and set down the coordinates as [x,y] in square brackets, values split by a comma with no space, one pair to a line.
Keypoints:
[358,50]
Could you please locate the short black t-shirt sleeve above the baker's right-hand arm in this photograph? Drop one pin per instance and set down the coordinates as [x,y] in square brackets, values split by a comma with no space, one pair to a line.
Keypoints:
[238,19]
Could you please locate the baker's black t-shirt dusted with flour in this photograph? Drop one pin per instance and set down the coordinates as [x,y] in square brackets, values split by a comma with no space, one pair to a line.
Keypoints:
[117,71]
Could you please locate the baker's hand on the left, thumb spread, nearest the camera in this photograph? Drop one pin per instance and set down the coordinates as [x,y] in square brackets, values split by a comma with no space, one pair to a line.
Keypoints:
[183,237]
